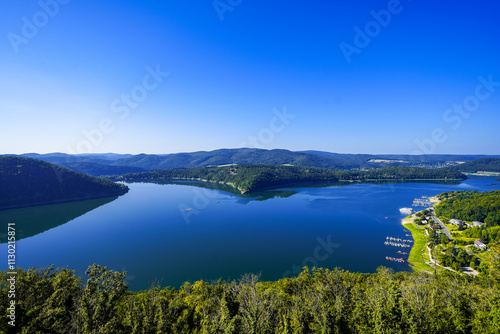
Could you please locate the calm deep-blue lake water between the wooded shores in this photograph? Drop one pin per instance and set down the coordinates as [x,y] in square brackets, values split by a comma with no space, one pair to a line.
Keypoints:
[149,233]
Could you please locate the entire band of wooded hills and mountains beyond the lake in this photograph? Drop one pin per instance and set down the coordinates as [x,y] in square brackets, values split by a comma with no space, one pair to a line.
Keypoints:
[25,181]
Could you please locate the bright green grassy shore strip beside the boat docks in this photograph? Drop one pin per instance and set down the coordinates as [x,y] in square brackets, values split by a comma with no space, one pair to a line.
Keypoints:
[418,254]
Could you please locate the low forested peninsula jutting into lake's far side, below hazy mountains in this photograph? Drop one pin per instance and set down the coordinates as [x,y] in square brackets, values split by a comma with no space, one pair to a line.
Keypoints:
[251,178]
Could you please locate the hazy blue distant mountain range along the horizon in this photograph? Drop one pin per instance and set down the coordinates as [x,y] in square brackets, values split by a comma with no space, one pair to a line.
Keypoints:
[113,164]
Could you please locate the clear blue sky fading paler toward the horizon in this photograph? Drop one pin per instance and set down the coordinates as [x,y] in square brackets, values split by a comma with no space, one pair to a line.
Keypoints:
[67,68]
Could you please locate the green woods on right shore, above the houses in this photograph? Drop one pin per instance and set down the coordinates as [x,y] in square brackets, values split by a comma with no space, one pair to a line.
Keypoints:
[471,206]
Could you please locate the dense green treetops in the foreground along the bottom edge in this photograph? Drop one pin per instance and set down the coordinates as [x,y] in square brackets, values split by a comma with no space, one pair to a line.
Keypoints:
[321,301]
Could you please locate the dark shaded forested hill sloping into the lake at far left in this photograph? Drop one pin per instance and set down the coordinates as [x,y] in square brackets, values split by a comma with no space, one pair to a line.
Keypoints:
[28,182]
